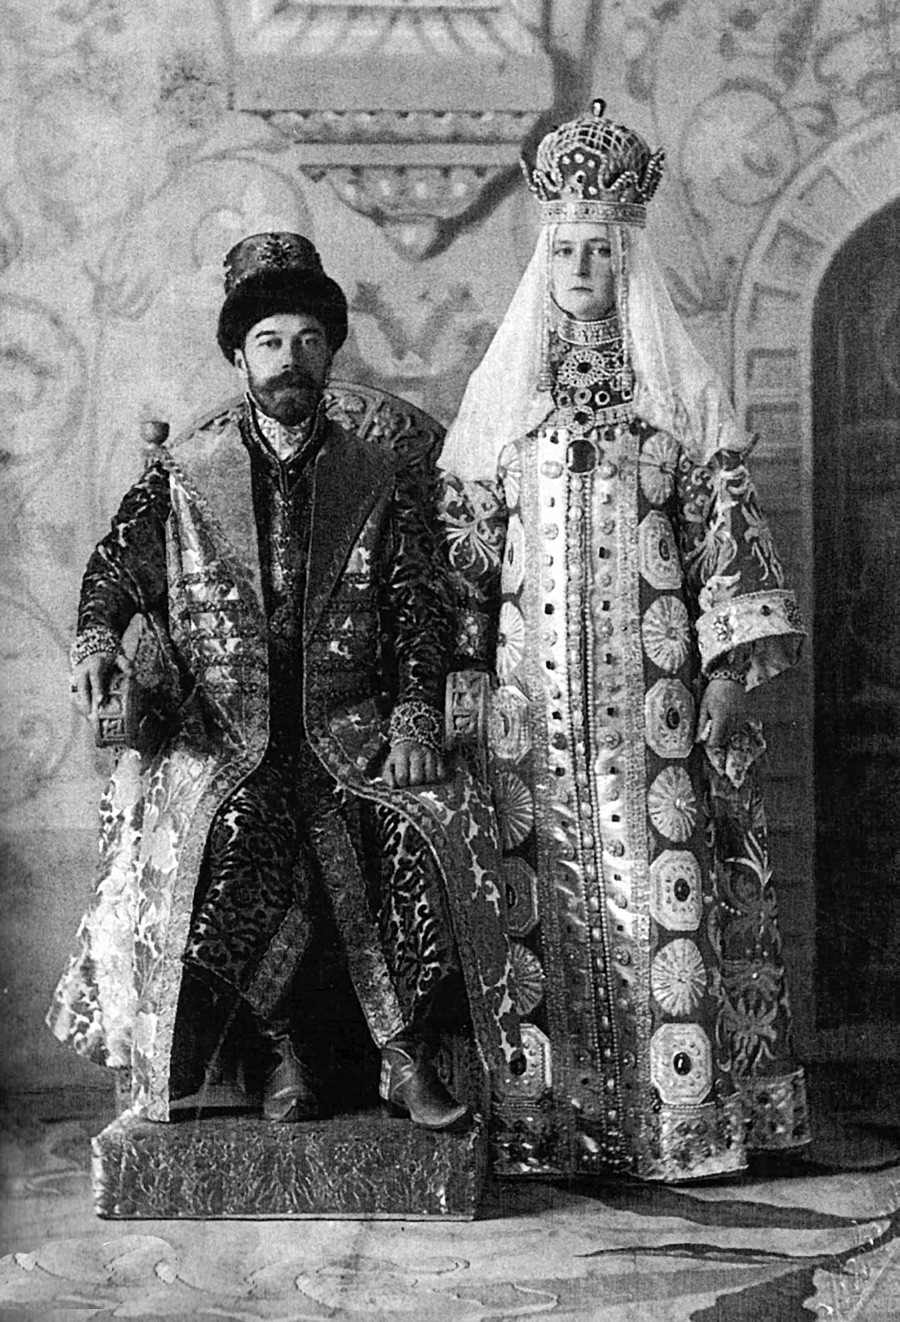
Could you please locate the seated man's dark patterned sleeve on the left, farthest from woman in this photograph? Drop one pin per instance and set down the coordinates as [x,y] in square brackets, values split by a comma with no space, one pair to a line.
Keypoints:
[126,574]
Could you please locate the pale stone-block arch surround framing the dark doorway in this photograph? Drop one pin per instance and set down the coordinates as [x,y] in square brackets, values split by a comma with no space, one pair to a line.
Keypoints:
[831,199]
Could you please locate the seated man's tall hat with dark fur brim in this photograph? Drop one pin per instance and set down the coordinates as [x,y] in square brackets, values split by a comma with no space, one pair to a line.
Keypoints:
[266,274]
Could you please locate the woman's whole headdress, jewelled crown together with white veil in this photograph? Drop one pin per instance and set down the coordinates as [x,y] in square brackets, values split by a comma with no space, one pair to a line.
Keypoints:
[593,171]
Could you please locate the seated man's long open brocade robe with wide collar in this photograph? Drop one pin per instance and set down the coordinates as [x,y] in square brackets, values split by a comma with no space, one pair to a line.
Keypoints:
[295,627]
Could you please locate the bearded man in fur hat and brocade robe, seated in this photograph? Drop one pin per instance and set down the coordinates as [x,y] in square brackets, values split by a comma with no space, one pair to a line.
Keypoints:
[291,577]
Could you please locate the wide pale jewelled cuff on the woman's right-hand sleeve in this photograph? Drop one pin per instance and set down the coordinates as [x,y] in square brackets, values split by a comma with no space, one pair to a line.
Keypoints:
[770,622]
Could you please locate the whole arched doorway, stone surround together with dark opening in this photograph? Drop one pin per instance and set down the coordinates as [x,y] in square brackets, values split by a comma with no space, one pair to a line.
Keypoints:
[831,204]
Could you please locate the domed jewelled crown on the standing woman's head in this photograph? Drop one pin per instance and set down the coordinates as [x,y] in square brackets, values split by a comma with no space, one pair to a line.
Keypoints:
[594,170]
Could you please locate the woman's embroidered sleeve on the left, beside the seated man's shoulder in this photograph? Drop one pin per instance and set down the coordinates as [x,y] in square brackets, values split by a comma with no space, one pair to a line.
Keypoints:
[474,516]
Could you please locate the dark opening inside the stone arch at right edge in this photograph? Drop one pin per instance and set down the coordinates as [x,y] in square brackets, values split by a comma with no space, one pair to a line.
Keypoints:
[857,607]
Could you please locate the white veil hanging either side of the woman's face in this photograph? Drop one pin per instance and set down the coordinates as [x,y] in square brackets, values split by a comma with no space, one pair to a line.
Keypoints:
[675,388]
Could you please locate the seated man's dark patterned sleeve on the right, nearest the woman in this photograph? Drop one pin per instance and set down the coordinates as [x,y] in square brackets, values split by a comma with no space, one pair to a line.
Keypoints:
[416,610]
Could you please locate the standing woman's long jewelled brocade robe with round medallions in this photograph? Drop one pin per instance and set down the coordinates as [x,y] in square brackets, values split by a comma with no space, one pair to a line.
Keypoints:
[647,951]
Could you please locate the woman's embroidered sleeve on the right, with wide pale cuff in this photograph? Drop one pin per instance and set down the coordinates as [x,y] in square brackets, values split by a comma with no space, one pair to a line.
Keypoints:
[733,570]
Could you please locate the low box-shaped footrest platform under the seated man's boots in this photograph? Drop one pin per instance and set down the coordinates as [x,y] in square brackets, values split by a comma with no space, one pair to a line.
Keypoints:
[363,1167]
